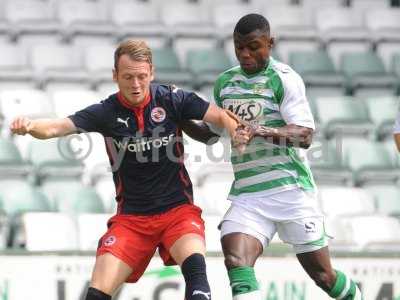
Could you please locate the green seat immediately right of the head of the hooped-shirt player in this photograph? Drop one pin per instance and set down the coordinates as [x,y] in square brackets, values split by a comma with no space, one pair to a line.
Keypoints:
[316,68]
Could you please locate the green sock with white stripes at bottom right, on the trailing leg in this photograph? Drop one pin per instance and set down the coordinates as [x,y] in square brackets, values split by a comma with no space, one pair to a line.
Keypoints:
[345,288]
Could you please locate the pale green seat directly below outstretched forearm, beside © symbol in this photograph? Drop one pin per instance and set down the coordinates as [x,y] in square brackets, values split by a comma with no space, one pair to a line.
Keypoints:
[54,158]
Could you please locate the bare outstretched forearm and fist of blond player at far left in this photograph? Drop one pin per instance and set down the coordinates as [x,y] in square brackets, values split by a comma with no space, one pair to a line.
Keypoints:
[42,128]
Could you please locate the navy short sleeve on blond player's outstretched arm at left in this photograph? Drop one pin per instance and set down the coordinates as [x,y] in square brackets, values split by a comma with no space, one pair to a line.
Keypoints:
[90,119]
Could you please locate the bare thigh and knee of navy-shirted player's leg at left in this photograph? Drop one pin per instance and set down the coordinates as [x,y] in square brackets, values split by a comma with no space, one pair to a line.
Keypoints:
[109,273]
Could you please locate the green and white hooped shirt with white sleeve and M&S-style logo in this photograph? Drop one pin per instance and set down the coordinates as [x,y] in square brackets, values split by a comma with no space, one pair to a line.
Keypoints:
[273,97]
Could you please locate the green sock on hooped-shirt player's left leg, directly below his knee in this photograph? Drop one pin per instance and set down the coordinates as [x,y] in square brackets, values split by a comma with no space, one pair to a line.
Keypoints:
[242,280]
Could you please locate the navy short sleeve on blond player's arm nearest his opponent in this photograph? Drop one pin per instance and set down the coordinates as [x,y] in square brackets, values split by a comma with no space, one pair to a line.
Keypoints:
[188,105]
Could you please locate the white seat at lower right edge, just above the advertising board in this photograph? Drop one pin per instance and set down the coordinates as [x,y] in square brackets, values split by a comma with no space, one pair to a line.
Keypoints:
[378,233]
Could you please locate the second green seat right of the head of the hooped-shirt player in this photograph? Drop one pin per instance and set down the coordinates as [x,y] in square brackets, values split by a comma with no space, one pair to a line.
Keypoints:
[366,71]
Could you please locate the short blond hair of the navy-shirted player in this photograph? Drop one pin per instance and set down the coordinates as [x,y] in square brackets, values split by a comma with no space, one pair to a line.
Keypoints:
[137,50]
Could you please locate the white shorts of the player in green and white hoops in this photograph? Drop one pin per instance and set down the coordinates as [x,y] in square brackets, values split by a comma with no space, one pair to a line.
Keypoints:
[303,227]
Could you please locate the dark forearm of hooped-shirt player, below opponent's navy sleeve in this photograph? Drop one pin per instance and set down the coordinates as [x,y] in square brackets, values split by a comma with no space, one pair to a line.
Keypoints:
[199,131]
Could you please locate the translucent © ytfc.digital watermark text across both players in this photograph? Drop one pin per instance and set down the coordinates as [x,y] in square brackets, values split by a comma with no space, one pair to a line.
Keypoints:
[162,145]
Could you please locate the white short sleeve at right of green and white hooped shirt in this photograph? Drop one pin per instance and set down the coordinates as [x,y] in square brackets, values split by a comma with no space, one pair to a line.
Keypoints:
[294,107]
